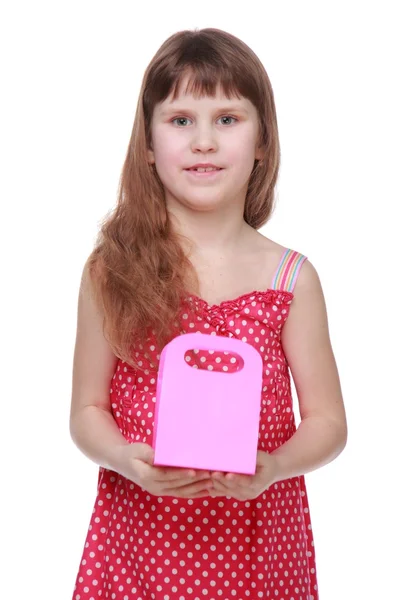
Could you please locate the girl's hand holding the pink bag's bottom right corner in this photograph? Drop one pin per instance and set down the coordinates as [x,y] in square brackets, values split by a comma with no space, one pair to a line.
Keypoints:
[246,487]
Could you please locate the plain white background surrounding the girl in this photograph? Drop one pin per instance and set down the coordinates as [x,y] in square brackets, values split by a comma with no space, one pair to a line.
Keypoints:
[71,73]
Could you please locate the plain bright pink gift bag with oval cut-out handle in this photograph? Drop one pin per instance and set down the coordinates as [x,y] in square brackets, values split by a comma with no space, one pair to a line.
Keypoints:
[205,419]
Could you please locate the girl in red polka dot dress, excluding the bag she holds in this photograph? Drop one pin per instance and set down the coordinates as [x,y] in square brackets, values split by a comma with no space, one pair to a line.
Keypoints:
[181,253]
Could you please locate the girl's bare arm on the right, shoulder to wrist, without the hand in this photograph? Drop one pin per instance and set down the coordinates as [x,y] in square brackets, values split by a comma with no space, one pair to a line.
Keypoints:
[322,433]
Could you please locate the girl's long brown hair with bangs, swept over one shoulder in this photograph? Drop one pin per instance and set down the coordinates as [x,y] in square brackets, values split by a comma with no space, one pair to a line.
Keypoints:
[139,271]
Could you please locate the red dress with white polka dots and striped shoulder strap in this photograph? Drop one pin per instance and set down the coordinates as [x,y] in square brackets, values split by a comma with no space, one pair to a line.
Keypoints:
[142,547]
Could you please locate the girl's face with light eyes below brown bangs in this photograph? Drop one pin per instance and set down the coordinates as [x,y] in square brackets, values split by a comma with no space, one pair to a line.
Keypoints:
[192,131]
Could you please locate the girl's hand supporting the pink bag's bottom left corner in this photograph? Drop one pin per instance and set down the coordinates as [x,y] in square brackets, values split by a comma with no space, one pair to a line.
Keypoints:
[135,462]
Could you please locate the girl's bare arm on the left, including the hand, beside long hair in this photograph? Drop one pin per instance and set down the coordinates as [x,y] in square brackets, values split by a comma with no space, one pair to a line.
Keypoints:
[92,425]
